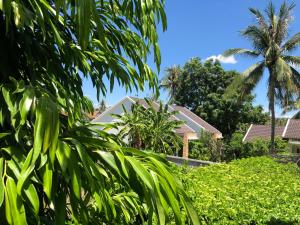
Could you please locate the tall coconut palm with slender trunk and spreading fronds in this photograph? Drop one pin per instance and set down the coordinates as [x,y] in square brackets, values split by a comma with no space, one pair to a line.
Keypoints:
[268,38]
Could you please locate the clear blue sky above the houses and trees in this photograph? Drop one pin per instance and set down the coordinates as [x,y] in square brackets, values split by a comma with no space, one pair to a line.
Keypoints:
[203,29]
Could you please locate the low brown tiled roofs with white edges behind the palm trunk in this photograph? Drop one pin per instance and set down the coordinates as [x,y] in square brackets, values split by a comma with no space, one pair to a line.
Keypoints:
[289,132]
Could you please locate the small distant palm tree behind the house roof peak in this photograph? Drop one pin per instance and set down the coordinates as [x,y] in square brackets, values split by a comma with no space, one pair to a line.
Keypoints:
[170,81]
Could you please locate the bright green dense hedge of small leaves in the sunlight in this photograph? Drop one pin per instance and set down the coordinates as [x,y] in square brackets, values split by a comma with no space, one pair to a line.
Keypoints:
[248,191]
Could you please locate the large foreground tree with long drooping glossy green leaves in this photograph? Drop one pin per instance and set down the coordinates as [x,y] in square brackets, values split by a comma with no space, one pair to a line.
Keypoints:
[53,167]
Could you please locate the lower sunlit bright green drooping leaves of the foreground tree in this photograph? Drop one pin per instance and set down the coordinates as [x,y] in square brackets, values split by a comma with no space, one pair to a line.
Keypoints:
[89,167]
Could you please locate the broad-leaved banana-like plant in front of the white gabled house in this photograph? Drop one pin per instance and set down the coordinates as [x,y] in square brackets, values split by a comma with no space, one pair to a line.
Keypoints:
[152,128]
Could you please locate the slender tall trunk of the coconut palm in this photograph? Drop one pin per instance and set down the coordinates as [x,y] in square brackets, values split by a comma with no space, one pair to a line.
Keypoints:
[271,95]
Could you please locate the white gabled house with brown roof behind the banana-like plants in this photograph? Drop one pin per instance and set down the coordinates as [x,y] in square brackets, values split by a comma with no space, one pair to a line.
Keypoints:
[190,130]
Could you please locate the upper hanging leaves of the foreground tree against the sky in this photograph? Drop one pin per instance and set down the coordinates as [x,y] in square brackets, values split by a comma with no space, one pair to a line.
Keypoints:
[108,35]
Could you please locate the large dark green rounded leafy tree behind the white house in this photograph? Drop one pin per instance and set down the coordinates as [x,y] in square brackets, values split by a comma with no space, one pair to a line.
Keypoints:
[201,88]
